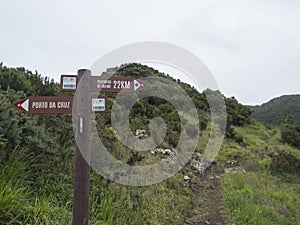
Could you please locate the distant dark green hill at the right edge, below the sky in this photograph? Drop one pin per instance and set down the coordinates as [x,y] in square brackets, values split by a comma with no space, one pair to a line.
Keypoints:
[281,110]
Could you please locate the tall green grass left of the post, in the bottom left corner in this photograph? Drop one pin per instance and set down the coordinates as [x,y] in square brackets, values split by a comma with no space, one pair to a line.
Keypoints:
[19,203]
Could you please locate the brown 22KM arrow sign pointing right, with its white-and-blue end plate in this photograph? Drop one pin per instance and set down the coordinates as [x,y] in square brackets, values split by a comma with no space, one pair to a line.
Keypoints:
[102,84]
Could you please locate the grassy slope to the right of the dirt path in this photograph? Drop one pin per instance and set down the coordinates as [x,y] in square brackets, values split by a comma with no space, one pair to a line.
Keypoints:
[262,186]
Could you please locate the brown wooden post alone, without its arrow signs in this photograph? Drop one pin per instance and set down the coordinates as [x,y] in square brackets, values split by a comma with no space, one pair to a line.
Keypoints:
[82,151]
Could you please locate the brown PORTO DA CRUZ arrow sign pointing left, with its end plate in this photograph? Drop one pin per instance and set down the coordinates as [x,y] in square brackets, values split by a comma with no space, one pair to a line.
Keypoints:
[56,104]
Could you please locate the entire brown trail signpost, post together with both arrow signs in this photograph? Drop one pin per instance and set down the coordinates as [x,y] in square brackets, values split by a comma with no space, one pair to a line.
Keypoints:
[83,108]
